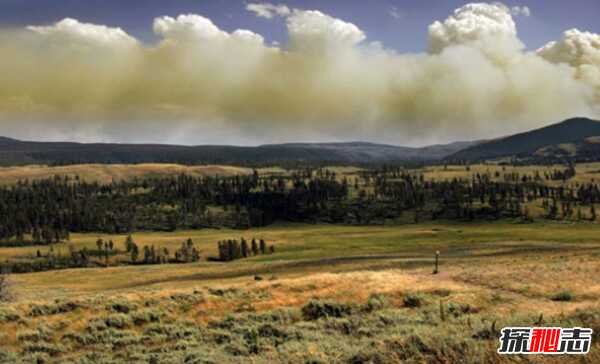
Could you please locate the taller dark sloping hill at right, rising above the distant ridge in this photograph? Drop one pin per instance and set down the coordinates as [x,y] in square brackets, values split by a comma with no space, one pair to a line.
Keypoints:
[576,139]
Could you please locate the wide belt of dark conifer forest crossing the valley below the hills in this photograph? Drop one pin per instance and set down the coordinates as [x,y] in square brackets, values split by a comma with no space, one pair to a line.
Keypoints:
[45,212]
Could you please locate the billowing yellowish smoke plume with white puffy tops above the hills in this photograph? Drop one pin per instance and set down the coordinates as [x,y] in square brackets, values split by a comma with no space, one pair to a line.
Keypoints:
[201,84]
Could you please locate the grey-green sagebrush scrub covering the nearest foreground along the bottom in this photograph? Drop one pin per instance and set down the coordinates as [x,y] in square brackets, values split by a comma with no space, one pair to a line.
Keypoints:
[318,332]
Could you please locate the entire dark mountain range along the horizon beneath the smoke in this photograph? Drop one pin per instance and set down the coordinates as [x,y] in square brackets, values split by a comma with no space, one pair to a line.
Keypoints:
[575,139]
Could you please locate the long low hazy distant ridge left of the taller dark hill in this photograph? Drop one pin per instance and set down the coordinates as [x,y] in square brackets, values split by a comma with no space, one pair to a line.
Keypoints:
[16,152]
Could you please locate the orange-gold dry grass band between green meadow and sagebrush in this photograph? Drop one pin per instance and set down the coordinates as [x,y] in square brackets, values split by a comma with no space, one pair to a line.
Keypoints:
[519,282]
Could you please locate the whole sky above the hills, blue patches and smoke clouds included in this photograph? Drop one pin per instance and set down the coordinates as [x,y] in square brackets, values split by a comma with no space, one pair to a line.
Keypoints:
[244,72]
